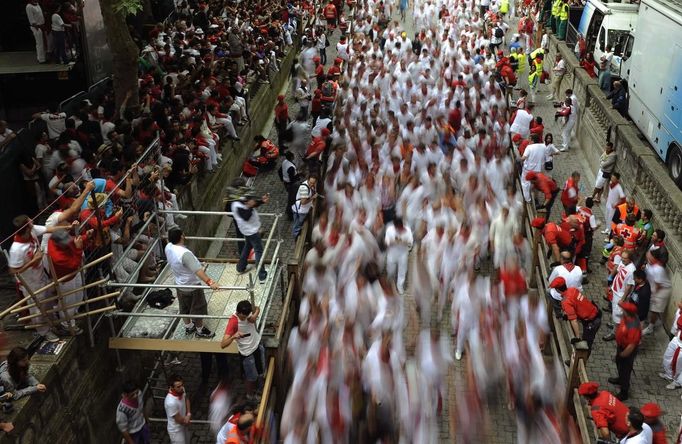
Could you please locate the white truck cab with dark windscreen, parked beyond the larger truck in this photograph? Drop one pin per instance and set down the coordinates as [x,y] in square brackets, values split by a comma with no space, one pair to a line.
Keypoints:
[609,26]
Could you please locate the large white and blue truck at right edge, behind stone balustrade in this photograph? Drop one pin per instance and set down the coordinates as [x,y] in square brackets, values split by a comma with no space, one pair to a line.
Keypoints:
[654,74]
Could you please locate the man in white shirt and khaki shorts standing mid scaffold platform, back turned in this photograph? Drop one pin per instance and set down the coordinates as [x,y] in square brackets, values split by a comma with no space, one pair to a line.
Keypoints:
[188,271]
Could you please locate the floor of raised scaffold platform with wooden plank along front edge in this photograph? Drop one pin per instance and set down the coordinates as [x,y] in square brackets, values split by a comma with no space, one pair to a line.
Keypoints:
[166,333]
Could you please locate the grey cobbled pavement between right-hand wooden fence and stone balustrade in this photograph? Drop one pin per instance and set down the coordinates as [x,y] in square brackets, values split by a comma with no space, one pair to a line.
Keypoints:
[646,385]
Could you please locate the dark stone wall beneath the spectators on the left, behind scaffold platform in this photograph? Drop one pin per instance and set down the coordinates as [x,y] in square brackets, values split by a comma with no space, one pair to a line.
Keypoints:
[83,384]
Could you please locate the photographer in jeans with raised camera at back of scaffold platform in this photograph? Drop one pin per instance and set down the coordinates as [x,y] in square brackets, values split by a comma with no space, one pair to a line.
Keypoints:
[248,222]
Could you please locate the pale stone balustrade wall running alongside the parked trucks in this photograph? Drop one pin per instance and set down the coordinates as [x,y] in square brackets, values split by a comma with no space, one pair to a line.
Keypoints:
[643,174]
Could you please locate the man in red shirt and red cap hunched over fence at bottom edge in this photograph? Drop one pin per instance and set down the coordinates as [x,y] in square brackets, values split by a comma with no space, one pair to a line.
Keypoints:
[608,412]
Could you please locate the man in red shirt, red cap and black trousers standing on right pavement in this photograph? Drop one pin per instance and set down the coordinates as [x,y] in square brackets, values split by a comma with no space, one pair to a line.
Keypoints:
[628,337]
